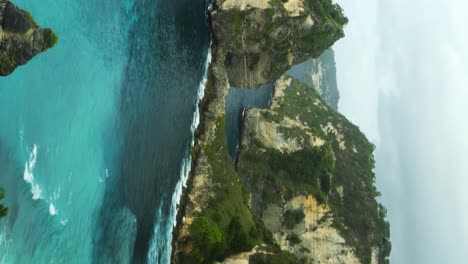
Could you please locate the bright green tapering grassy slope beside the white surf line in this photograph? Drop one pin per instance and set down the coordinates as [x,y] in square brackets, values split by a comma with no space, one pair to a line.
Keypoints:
[226,225]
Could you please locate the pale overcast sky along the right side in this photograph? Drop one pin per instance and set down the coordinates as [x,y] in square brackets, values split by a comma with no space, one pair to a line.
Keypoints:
[403,77]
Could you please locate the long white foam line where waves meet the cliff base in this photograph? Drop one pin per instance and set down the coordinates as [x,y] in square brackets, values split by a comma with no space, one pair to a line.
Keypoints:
[165,242]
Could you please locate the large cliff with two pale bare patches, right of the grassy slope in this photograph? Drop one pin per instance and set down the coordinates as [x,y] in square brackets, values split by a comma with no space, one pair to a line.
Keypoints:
[306,168]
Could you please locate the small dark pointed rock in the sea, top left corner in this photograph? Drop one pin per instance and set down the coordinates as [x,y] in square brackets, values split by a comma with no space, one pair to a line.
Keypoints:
[20,37]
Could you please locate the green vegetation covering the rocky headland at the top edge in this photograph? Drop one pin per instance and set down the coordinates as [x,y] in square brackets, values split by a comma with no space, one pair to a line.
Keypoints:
[271,31]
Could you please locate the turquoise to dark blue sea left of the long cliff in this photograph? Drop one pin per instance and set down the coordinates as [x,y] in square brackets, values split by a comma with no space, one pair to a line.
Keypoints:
[95,133]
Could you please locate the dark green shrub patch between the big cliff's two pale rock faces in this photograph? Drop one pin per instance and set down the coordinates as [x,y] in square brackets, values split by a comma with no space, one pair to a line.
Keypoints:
[304,171]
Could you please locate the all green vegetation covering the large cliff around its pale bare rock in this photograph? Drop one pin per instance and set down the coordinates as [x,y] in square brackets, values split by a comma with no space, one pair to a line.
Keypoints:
[357,215]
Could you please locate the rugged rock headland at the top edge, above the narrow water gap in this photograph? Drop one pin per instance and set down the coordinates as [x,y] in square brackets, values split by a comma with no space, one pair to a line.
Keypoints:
[264,38]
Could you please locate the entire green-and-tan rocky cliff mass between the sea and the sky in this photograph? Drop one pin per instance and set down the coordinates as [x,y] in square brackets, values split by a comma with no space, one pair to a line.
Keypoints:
[289,199]
